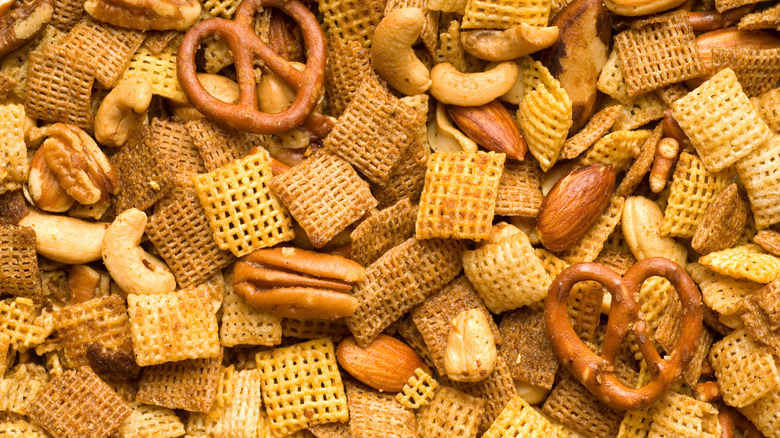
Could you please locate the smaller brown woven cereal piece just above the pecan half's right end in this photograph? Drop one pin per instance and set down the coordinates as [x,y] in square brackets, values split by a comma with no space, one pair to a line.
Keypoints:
[382,231]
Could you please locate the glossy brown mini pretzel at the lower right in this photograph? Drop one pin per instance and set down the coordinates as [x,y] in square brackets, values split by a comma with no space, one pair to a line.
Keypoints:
[596,372]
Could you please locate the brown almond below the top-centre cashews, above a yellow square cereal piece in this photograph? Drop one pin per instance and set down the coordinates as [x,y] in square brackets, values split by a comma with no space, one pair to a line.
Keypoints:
[491,126]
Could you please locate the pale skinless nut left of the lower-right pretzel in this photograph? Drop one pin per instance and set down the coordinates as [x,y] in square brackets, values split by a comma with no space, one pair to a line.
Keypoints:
[471,350]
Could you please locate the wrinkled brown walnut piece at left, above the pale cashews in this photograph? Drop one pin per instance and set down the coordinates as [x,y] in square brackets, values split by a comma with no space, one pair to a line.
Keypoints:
[80,166]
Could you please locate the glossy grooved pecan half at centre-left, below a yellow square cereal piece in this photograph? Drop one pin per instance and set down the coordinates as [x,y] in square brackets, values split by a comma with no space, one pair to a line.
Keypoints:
[296,283]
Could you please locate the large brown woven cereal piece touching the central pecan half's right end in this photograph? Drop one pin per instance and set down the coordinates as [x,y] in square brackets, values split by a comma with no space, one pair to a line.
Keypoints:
[399,280]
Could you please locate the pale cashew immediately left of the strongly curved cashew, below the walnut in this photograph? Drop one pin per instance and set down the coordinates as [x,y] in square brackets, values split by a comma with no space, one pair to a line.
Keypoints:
[64,239]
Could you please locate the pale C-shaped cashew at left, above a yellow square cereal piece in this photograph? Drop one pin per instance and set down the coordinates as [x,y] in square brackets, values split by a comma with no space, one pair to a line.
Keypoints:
[132,268]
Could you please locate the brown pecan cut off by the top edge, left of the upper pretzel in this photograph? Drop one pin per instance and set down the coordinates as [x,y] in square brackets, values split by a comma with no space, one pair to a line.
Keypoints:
[145,14]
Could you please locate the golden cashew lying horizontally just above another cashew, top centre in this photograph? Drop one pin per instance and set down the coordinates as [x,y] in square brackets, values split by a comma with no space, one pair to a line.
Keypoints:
[505,45]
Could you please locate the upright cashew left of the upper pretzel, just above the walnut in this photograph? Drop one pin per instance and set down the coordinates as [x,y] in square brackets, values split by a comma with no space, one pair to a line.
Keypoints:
[122,111]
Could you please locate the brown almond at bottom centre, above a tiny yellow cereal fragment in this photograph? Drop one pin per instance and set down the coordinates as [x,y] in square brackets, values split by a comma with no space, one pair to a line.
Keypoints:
[386,364]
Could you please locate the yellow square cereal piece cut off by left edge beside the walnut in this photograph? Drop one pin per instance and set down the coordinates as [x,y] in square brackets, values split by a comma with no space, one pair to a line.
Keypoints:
[13,150]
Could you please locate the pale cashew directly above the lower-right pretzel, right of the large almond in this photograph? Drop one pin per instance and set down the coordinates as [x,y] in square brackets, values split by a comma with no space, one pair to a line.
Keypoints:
[642,231]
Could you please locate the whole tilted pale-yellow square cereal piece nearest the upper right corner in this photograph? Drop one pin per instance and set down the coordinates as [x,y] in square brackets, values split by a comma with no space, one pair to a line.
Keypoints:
[720,121]
